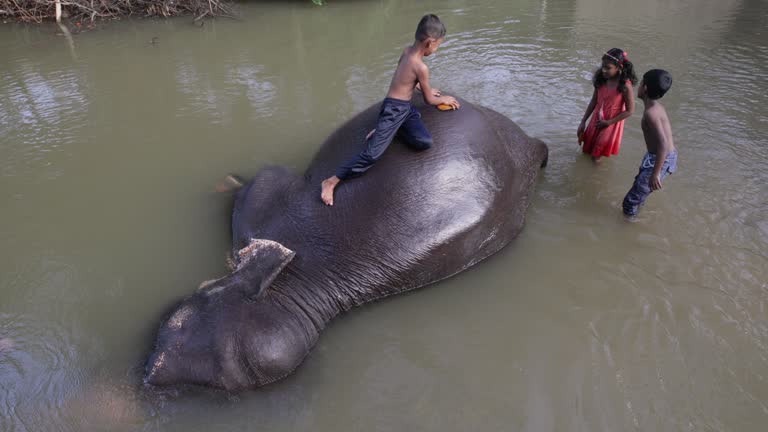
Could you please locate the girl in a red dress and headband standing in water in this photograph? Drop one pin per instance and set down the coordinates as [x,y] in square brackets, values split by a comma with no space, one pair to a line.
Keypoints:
[612,102]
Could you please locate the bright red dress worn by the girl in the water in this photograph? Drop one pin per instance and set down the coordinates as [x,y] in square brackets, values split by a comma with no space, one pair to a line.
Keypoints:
[606,141]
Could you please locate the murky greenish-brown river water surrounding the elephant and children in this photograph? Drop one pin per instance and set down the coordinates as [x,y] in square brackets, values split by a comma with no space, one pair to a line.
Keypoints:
[110,146]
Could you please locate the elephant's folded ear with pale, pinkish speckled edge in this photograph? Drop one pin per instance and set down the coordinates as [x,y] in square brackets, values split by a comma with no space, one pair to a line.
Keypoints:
[259,263]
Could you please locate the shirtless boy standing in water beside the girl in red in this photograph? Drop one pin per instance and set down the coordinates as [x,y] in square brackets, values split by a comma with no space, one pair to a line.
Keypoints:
[661,158]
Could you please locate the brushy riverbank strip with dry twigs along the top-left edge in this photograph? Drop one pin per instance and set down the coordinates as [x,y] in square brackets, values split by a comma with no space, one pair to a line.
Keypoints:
[90,10]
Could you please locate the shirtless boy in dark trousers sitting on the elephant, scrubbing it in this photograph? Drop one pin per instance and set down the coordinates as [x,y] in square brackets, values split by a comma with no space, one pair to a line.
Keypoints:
[397,115]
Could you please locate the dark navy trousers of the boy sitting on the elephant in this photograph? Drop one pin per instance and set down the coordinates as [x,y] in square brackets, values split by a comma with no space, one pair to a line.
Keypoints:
[396,117]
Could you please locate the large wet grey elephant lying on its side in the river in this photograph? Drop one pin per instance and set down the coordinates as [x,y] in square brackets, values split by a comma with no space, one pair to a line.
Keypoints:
[412,219]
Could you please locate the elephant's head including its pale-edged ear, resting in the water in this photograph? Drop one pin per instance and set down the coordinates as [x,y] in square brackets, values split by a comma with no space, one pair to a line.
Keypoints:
[229,334]
